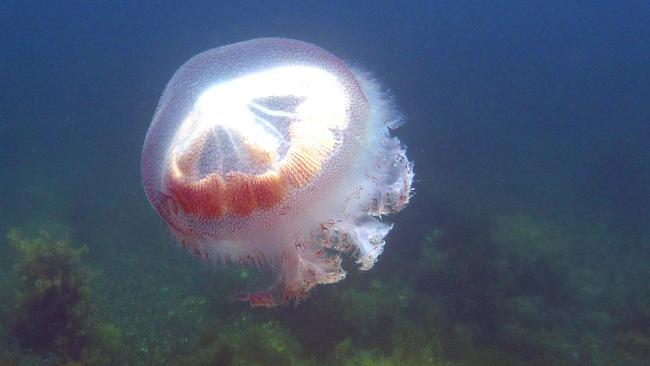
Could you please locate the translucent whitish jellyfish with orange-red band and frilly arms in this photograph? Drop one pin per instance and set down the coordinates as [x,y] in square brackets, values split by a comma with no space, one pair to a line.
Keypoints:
[274,153]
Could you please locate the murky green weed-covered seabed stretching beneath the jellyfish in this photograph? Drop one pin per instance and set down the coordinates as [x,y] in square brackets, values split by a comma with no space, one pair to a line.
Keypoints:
[511,290]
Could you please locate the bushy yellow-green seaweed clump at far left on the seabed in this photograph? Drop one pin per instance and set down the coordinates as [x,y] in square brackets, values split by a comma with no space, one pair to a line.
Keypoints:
[53,312]
